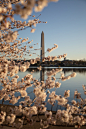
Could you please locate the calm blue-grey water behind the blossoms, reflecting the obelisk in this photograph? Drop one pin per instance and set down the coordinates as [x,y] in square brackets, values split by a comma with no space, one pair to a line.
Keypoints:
[71,84]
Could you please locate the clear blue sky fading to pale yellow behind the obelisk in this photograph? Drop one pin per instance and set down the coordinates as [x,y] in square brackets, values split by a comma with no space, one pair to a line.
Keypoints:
[66,27]
